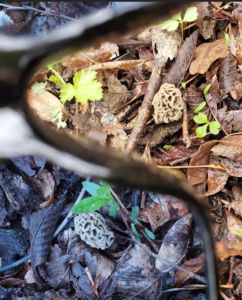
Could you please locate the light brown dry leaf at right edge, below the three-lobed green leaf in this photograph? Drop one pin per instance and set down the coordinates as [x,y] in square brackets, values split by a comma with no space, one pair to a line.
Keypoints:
[229,149]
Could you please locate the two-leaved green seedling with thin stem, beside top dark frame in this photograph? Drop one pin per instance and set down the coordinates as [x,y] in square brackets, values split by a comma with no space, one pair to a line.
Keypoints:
[191,15]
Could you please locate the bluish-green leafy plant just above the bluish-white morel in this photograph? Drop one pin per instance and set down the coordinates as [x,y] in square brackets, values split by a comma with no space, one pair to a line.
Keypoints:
[100,196]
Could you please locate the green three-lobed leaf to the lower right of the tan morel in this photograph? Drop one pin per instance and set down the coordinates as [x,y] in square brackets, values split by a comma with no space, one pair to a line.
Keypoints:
[201,131]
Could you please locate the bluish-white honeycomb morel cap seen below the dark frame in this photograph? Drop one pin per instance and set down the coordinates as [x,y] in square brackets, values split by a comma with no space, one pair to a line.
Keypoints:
[93,230]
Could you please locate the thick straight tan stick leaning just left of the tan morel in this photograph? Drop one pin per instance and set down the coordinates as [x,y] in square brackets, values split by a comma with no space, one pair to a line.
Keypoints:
[145,110]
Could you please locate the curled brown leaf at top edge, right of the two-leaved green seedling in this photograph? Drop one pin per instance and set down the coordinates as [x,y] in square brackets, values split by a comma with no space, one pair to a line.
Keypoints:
[205,23]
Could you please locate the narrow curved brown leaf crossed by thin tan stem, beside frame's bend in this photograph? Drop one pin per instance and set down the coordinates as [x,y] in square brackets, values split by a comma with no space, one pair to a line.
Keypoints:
[196,176]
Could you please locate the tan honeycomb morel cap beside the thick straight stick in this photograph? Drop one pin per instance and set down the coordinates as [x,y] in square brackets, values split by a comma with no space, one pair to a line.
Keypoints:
[168,104]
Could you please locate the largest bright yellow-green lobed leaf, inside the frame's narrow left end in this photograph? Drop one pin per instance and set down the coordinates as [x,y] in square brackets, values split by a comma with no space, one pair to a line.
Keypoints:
[86,88]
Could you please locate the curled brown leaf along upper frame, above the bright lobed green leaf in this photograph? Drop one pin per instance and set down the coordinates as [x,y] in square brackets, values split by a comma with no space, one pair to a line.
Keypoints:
[80,60]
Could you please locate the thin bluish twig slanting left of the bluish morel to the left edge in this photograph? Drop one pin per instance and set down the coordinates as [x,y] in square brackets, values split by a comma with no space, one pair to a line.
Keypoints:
[58,230]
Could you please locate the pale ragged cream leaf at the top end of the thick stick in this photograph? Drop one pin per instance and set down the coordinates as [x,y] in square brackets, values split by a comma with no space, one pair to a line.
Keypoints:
[165,45]
